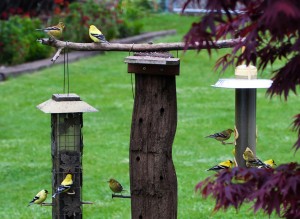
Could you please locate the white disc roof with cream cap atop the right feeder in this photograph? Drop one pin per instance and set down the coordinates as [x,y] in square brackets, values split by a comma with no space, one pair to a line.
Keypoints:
[245,77]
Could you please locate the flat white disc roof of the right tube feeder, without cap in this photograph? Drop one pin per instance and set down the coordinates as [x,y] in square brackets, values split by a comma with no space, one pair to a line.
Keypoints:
[243,83]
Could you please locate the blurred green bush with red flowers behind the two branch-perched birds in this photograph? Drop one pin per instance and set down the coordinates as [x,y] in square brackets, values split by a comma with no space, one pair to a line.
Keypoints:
[116,19]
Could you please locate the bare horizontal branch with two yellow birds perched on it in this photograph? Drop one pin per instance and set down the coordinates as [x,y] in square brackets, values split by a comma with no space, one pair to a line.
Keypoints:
[143,47]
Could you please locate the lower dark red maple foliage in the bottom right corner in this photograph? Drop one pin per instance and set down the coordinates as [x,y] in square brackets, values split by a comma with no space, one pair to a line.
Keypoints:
[270,189]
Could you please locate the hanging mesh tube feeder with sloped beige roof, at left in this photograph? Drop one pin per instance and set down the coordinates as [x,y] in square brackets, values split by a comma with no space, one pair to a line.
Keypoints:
[66,150]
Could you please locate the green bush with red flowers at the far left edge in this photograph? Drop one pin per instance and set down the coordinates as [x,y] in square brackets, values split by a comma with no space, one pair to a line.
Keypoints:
[18,40]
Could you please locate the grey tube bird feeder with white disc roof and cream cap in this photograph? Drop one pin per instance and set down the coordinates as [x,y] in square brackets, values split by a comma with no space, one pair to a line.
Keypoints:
[245,84]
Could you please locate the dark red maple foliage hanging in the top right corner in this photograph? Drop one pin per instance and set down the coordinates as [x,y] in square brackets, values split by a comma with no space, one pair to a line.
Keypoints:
[270,29]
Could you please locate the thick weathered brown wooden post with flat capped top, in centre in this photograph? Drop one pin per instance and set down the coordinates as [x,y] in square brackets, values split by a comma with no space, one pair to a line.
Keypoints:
[153,182]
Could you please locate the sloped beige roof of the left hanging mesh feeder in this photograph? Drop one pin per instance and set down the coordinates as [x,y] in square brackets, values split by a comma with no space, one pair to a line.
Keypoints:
[65,103]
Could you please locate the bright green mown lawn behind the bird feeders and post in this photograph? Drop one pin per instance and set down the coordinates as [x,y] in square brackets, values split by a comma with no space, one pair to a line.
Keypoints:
[103,82]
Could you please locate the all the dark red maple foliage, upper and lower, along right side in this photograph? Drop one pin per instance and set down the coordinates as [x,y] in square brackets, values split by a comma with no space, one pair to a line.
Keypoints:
[269,30]
